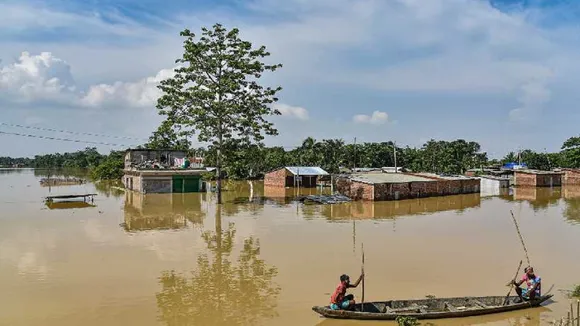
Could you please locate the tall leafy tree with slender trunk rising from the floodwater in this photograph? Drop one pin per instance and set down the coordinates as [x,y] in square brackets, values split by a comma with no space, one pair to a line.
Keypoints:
[216,93]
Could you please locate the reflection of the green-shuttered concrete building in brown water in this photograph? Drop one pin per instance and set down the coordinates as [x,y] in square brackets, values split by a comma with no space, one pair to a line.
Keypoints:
[162,211]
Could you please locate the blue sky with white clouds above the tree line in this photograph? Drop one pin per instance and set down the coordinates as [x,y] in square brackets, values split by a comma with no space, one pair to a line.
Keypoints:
[500,72]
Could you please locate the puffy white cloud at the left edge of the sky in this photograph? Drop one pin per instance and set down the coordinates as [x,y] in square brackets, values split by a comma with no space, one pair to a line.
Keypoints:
[36,77]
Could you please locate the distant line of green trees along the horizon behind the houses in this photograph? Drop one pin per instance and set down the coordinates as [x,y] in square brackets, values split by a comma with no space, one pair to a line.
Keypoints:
[253,161]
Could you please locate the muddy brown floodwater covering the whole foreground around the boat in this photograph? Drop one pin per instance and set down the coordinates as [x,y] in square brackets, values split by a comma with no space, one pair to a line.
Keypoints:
[153,259]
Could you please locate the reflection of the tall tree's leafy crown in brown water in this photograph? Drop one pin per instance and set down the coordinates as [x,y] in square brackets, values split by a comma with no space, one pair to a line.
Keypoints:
[220,291]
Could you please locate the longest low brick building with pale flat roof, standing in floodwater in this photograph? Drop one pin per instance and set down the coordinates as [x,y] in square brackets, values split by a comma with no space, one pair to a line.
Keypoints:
[395,186]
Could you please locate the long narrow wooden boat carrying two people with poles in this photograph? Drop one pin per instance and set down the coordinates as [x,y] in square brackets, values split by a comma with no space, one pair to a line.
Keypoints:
[431,308]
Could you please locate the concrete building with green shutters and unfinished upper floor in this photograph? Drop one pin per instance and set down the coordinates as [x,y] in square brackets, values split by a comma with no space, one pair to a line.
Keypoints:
[161,171]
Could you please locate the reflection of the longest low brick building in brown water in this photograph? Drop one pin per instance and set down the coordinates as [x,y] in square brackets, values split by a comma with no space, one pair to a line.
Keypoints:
[392,209]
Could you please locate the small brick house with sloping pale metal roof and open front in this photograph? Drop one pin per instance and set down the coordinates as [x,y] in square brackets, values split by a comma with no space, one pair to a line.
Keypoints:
[294,176]
